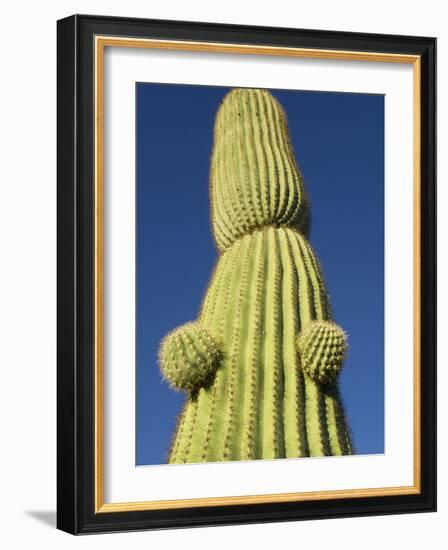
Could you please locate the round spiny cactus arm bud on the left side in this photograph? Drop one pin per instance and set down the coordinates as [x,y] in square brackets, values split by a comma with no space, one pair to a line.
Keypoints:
[189,357]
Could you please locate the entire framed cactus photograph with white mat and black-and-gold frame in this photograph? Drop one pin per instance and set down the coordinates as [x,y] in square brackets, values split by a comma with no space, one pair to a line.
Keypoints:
[246,274]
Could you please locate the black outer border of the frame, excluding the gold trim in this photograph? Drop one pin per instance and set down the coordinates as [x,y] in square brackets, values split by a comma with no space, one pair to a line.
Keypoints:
[75,295]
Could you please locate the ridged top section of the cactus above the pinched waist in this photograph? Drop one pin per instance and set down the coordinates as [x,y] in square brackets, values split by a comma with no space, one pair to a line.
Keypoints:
[254,177]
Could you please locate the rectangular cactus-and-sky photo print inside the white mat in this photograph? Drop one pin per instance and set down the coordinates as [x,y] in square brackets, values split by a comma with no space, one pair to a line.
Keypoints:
[259,273]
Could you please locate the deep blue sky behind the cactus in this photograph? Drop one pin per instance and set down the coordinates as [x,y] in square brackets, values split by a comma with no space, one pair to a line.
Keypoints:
[339,144]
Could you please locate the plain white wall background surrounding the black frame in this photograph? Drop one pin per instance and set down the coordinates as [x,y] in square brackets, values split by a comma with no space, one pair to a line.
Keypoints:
[28,271]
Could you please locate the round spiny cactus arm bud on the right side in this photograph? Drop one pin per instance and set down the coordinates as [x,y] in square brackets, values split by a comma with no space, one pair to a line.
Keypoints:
[322,346]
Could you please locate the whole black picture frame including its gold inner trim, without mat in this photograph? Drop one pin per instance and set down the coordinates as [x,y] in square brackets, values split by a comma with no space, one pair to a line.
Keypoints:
[82,244]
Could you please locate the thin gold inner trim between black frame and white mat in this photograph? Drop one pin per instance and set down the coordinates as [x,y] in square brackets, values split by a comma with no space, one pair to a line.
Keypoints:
[101,42]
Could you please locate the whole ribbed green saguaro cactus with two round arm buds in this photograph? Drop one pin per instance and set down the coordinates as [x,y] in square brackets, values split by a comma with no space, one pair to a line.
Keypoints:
[260,363]
